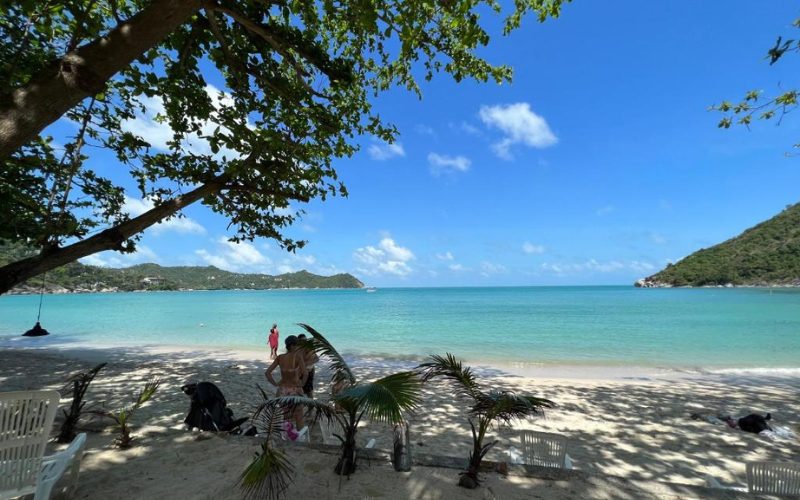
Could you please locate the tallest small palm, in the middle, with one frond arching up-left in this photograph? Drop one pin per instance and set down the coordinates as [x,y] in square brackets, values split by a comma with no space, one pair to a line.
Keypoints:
[384,400]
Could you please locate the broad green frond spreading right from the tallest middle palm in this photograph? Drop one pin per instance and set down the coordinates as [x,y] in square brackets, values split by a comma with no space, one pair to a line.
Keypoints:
[386,399]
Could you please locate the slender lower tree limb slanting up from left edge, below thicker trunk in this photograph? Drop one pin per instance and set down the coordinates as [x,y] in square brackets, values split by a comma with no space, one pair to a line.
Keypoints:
[110,239]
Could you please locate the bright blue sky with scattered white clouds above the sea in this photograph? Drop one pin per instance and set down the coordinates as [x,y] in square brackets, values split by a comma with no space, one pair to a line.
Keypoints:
[599,164]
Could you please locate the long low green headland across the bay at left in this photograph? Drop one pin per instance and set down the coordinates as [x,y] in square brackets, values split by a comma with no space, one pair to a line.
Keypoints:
[81,278]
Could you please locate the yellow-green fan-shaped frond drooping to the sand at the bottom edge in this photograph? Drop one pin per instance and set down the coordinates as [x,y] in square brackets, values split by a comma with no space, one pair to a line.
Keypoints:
[268,475]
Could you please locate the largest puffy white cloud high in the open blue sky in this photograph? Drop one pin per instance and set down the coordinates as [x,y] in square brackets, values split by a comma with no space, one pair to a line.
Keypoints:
[520,125]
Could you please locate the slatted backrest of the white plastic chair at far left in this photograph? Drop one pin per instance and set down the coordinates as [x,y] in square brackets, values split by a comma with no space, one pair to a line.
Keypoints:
[26,418]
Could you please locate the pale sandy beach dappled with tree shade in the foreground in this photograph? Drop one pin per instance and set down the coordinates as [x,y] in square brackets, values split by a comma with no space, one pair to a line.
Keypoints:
[628,435]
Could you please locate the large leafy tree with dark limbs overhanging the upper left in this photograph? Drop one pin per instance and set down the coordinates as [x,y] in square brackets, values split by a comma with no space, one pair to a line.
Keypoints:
[299,78]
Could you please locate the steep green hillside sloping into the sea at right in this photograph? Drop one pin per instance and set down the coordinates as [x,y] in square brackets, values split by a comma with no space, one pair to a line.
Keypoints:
[767,254]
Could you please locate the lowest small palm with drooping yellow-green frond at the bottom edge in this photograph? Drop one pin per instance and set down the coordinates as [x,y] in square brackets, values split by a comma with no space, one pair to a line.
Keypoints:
[270,472]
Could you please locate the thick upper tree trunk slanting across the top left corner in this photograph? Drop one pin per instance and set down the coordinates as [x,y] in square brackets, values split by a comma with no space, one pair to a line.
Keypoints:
[83,72]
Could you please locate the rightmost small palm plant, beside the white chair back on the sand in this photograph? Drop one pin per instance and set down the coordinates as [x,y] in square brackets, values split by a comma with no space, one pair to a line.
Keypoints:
[486,409]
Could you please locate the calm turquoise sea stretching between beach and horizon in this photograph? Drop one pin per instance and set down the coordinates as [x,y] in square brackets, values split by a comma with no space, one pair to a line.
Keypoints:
[605,326]
